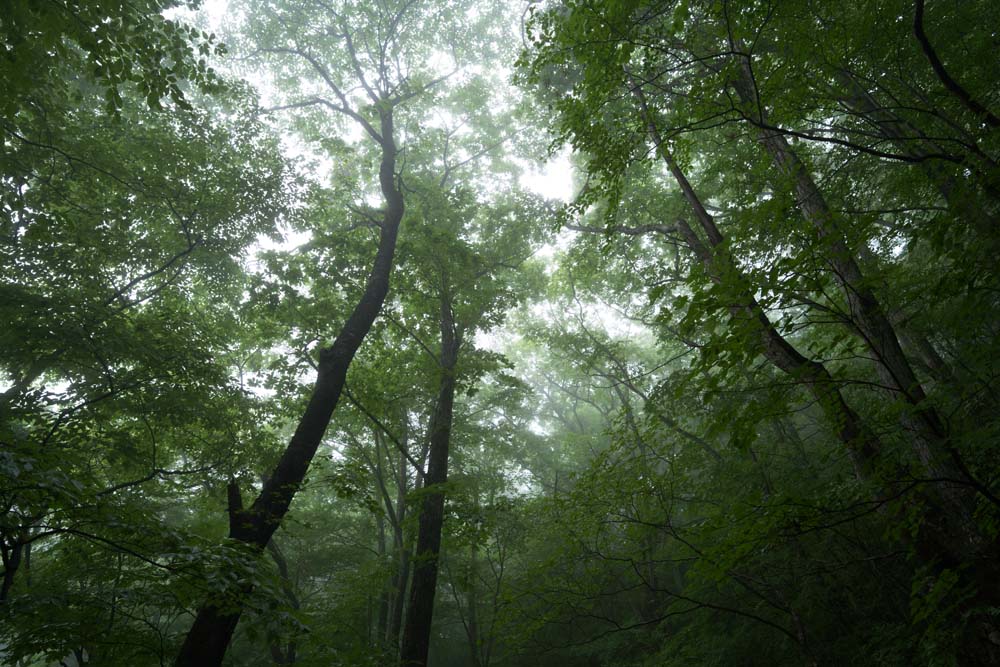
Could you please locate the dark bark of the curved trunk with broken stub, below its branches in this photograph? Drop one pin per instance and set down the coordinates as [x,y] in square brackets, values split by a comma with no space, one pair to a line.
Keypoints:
[209,636]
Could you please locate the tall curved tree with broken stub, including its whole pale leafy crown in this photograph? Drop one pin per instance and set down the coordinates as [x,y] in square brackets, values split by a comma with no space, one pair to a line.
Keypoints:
[368,65]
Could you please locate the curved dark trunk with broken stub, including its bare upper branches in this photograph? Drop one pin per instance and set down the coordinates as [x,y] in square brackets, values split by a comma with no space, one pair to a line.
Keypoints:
[209,636]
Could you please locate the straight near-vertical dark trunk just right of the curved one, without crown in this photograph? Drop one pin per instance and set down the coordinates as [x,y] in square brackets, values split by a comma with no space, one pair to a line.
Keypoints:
[419,614]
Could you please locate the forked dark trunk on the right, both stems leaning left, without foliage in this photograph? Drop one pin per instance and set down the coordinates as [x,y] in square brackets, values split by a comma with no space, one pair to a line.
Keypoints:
[947,538]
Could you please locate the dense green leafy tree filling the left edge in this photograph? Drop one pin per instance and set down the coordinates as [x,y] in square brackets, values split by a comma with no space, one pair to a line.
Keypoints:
[123,229]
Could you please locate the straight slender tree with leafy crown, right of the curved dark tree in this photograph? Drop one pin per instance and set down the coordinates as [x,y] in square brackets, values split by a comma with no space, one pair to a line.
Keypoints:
[470,267]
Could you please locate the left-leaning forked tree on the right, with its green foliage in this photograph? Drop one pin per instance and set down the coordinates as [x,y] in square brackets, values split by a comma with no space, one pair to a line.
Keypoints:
[671,77]
